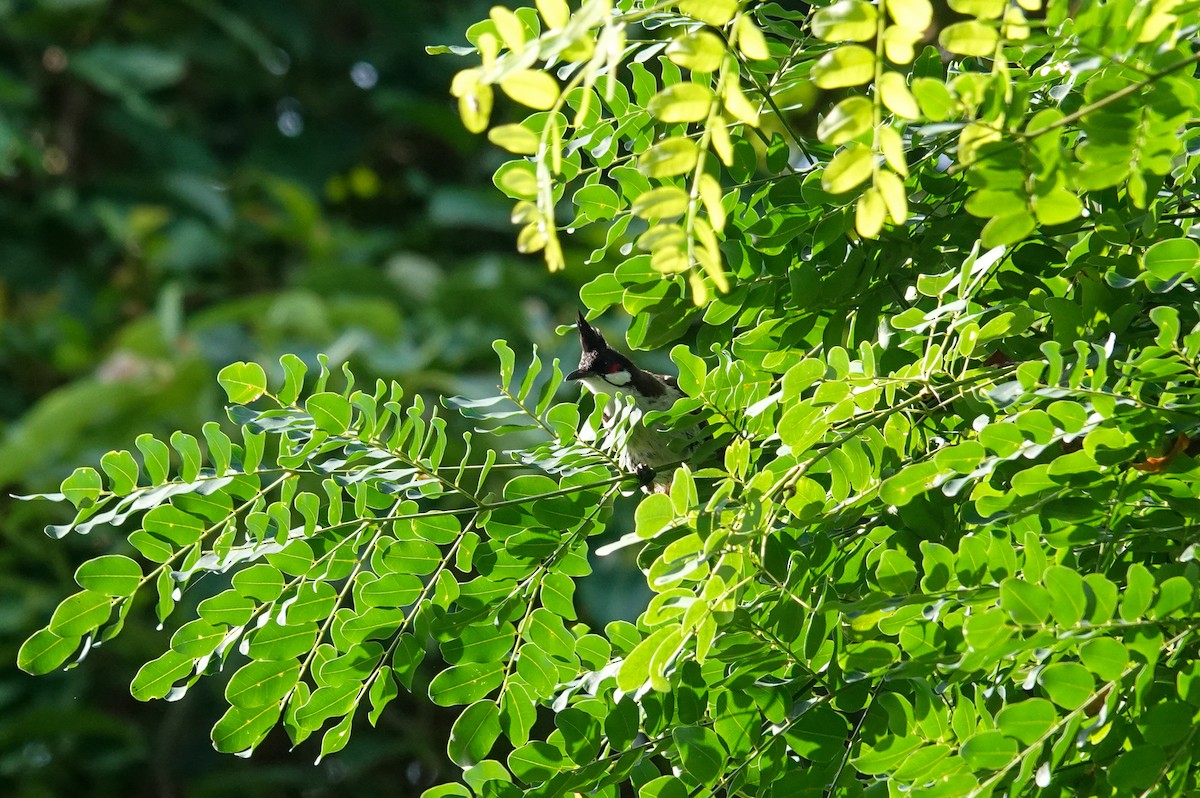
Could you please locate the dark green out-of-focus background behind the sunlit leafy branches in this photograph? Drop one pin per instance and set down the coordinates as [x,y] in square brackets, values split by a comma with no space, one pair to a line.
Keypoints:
[189,184]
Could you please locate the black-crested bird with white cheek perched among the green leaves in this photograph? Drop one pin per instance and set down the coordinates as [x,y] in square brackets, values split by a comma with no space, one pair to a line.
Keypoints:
[645,451]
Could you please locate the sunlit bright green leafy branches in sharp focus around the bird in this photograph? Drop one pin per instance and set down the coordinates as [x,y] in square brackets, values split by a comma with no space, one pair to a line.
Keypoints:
[949,548]
